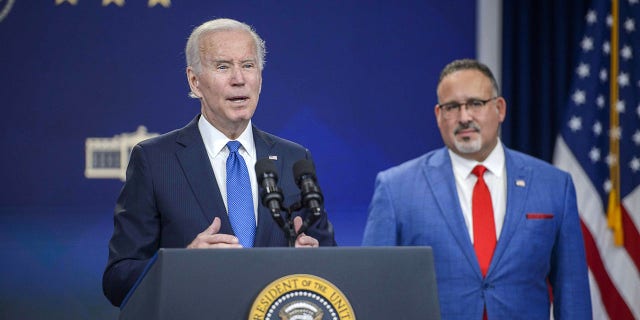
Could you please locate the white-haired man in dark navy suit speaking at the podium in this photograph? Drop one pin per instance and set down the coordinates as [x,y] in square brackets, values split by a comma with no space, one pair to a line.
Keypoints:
[177,194]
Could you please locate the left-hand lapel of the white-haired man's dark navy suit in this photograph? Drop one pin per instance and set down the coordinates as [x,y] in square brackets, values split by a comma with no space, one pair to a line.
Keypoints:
[197,169]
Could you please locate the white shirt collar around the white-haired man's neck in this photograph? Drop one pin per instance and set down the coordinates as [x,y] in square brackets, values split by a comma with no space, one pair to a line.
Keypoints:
[217,141]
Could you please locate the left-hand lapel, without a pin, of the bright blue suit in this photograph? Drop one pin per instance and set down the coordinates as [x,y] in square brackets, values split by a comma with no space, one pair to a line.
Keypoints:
[439,175]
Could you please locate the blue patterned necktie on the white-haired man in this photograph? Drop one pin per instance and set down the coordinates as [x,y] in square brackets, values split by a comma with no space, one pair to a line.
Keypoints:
[239,199]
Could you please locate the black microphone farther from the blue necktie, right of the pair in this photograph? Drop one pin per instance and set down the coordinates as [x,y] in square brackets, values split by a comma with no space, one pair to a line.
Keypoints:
[304,174]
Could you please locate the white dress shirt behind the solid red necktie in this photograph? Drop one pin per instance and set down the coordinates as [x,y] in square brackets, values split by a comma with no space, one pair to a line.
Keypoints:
[495,178]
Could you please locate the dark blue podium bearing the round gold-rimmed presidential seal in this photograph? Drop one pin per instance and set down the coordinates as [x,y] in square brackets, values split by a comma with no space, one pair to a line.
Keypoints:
[352,282]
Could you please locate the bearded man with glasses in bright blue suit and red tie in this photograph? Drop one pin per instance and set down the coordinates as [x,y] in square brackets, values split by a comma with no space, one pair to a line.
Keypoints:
[503,226]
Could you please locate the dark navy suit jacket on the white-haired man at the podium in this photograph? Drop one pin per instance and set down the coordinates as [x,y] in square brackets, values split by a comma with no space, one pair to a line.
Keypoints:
[171,195]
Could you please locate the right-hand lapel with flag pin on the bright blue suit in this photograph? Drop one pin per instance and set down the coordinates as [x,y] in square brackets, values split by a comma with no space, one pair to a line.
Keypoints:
[518,179]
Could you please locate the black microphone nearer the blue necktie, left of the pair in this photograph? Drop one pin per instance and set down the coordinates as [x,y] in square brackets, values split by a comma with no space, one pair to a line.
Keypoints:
[271,195]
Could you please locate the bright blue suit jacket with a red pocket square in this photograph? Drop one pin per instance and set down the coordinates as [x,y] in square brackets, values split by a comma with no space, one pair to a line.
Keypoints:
[416,204]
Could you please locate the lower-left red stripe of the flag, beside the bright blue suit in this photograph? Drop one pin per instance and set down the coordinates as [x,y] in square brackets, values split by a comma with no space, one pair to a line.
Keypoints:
[613,302]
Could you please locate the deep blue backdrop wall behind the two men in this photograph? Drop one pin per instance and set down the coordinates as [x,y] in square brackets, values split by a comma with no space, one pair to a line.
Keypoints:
[353,81]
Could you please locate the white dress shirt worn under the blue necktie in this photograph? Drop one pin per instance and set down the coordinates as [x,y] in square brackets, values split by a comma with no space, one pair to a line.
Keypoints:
[216,144]
